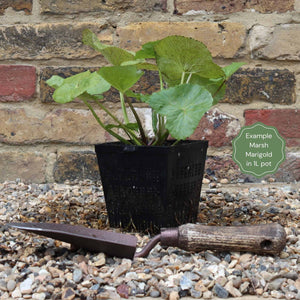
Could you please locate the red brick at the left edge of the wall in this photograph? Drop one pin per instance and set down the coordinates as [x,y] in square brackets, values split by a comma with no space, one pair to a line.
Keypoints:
[17,83]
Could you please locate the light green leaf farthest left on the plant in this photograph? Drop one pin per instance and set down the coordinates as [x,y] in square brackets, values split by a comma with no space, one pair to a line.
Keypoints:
[72,87]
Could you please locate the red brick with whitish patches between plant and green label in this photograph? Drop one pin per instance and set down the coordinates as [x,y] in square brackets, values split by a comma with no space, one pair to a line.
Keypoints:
[218,128]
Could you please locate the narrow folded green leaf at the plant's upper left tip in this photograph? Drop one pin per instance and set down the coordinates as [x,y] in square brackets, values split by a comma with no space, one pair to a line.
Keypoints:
[114,55]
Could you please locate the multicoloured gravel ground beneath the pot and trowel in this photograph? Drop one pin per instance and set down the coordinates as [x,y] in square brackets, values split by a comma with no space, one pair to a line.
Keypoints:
[35,267]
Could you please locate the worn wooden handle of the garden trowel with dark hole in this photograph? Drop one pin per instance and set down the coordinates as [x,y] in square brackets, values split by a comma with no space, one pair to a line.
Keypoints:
[266,238]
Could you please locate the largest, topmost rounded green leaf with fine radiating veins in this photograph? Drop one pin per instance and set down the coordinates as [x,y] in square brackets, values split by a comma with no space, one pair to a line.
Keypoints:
[177,54]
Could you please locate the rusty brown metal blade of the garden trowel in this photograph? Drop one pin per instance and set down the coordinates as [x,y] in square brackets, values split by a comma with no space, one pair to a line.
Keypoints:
[111,243]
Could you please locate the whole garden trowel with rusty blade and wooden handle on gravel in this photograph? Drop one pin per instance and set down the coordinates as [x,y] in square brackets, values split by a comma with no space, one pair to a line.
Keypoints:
[261,239]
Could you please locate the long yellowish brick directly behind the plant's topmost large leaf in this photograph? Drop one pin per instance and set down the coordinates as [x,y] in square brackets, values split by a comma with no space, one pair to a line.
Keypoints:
[222,39]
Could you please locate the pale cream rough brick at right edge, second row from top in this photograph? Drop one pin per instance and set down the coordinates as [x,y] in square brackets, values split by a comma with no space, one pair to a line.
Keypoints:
[280,42]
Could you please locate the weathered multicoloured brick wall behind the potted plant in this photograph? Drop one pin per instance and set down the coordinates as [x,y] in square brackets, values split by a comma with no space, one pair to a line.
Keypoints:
[41,141]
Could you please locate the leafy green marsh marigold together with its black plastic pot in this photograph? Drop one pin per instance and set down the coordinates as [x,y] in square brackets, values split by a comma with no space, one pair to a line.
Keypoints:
[151,181]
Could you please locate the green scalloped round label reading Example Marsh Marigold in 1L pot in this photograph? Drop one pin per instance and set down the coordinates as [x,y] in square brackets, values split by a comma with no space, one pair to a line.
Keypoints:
[258,149]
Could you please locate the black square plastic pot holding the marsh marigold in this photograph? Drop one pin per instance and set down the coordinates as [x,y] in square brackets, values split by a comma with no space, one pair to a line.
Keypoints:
[147,188]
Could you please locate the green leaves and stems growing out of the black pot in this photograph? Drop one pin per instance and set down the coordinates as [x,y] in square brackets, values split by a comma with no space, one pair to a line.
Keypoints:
[191,83]
